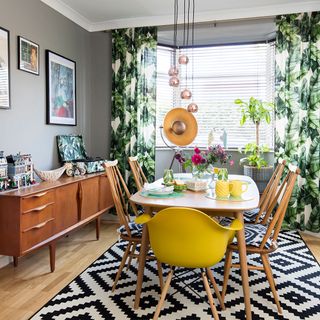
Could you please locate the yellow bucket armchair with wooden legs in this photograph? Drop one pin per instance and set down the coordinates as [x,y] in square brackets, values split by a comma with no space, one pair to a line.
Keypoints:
[185,237]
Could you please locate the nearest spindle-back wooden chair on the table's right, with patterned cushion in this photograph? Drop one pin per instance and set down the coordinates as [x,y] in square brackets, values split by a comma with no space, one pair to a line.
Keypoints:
[262,239]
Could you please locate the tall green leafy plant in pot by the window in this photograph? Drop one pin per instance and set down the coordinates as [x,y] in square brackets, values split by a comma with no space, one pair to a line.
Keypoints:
[255,166]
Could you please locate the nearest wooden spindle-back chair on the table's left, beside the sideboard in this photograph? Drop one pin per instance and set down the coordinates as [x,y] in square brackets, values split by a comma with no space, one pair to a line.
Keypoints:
[129,230]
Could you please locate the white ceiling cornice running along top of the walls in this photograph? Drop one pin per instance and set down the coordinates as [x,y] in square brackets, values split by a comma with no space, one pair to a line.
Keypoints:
[219,15]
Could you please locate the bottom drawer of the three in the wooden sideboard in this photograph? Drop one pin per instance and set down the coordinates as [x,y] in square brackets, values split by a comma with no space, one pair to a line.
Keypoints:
[36,234]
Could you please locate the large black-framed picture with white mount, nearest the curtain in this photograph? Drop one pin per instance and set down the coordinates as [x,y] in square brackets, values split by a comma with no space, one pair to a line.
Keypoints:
[61,89]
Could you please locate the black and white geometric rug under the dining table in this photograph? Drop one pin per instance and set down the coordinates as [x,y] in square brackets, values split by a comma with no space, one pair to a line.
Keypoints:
[89,296]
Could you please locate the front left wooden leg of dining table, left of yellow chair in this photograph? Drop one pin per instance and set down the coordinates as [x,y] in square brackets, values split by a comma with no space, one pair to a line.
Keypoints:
[142,261]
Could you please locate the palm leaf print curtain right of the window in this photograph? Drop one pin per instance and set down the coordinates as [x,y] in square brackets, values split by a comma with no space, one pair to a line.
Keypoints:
[297,112]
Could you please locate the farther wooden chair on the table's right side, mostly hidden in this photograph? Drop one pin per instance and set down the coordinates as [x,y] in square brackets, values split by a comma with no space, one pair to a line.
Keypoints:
[257,215]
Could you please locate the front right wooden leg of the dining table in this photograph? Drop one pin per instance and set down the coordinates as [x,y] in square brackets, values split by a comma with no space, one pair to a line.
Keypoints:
[244,267]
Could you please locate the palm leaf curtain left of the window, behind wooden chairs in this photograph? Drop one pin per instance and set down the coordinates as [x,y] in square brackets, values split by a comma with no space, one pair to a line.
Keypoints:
[133,115]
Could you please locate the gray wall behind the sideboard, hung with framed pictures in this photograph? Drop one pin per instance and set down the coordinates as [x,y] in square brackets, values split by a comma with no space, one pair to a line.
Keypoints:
[23,127]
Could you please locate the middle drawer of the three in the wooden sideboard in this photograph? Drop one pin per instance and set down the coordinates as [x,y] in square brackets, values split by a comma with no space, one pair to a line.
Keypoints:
[37,215]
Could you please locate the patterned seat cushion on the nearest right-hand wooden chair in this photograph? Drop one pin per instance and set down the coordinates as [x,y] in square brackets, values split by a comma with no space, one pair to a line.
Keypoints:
[254,233]
